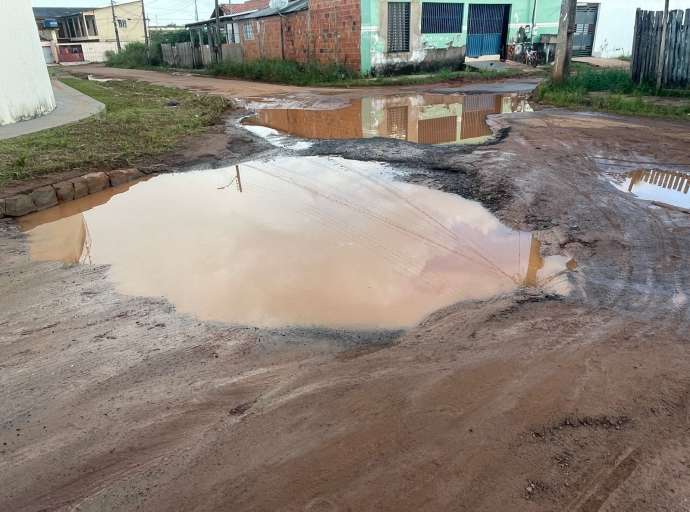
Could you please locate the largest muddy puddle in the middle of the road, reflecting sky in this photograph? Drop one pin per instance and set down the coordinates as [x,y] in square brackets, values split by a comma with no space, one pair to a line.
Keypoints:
[294,241]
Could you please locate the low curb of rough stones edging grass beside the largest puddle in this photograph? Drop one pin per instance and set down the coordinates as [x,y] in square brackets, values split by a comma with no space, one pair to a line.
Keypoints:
[47,196]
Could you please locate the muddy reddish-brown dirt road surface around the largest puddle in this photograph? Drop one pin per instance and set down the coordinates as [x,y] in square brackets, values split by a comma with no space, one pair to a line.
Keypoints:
[527,401]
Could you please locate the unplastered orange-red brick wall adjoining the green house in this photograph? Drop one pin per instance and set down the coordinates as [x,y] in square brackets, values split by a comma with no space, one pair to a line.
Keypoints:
[329,31]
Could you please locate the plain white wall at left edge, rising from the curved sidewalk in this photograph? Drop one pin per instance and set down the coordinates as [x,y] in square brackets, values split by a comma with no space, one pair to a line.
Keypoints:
[25,89]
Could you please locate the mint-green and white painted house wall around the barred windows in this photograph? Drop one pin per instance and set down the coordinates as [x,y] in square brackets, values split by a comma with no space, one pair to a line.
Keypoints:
[374,29]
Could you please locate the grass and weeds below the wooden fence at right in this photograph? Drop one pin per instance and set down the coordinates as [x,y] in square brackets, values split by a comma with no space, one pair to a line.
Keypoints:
[612,90]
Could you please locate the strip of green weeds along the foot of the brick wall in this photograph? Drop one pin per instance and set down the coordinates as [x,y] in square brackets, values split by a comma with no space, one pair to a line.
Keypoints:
[283,71]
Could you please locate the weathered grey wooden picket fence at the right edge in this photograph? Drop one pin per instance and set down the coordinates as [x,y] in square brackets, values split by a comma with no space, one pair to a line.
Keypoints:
[647,42]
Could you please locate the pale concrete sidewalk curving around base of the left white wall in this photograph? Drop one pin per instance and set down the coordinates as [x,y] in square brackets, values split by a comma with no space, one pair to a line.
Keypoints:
[72,106]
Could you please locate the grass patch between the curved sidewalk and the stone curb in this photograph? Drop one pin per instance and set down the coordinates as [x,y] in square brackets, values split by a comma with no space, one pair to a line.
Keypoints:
[137,124]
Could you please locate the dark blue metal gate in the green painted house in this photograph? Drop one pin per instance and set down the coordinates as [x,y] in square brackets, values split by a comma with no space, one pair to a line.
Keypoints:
[486,29]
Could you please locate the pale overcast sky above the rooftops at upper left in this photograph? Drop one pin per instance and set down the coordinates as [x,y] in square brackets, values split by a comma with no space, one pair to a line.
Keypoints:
[159,12]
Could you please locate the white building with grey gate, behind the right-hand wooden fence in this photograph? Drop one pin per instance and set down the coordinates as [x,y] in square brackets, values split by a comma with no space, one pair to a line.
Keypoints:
[606,28]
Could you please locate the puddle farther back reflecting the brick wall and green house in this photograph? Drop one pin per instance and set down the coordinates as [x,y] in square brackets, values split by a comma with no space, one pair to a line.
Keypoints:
[419,118]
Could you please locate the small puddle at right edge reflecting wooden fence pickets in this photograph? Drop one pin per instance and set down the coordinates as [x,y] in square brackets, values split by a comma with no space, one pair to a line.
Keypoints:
[670,187]
